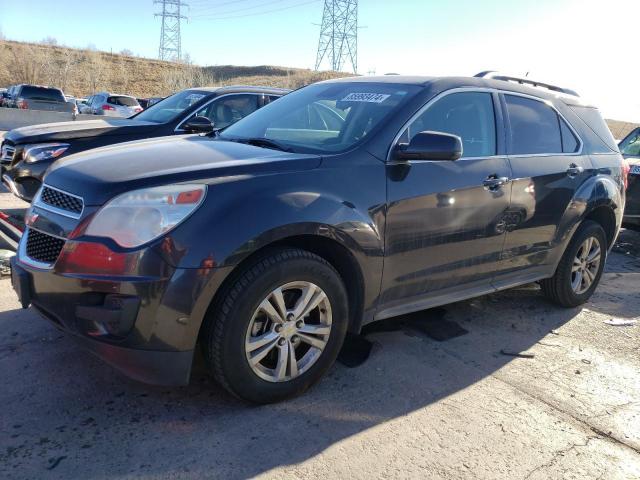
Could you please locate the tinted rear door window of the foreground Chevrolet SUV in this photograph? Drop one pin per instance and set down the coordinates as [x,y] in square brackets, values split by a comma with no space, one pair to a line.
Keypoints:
[535,127]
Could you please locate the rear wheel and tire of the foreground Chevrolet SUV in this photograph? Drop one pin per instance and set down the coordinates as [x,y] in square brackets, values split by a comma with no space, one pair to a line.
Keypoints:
[561,288]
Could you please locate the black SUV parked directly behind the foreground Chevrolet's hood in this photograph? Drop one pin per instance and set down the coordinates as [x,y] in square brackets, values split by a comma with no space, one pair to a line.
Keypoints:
[27,152]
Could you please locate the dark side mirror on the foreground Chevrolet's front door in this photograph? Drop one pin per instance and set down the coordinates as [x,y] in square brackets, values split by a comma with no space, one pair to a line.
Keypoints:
[430,146]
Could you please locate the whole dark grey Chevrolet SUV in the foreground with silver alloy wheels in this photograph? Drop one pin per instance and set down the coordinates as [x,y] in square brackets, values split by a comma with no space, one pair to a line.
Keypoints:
[342,203]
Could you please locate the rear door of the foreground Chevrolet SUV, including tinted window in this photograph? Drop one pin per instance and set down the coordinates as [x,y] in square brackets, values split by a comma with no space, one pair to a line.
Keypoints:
[548,167]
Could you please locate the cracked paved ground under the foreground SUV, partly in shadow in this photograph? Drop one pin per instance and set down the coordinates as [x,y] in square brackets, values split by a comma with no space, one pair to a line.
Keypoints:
[416,409]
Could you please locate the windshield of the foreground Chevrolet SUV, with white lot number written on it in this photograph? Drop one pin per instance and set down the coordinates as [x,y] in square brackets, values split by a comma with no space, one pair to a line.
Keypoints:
[322,118]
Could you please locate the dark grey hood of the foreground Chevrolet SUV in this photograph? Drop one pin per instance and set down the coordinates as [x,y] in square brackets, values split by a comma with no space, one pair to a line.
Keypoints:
[100,174]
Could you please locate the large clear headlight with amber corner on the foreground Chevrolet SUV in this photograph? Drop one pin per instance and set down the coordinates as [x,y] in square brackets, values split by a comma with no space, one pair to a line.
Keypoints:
[137,217]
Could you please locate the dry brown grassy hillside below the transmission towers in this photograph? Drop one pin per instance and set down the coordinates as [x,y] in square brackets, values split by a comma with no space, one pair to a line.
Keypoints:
[82,72]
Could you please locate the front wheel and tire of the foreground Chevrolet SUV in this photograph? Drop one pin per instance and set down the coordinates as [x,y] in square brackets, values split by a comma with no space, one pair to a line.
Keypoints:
[239,320]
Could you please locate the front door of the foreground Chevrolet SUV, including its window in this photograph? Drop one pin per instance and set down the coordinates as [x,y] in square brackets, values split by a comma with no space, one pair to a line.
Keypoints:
[445,221]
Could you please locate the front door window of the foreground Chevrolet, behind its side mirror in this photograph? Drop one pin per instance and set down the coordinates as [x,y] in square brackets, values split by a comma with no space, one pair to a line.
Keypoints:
[470,115]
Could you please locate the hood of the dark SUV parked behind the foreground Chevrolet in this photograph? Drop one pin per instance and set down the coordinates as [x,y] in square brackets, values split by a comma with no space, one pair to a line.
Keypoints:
[78,129]
